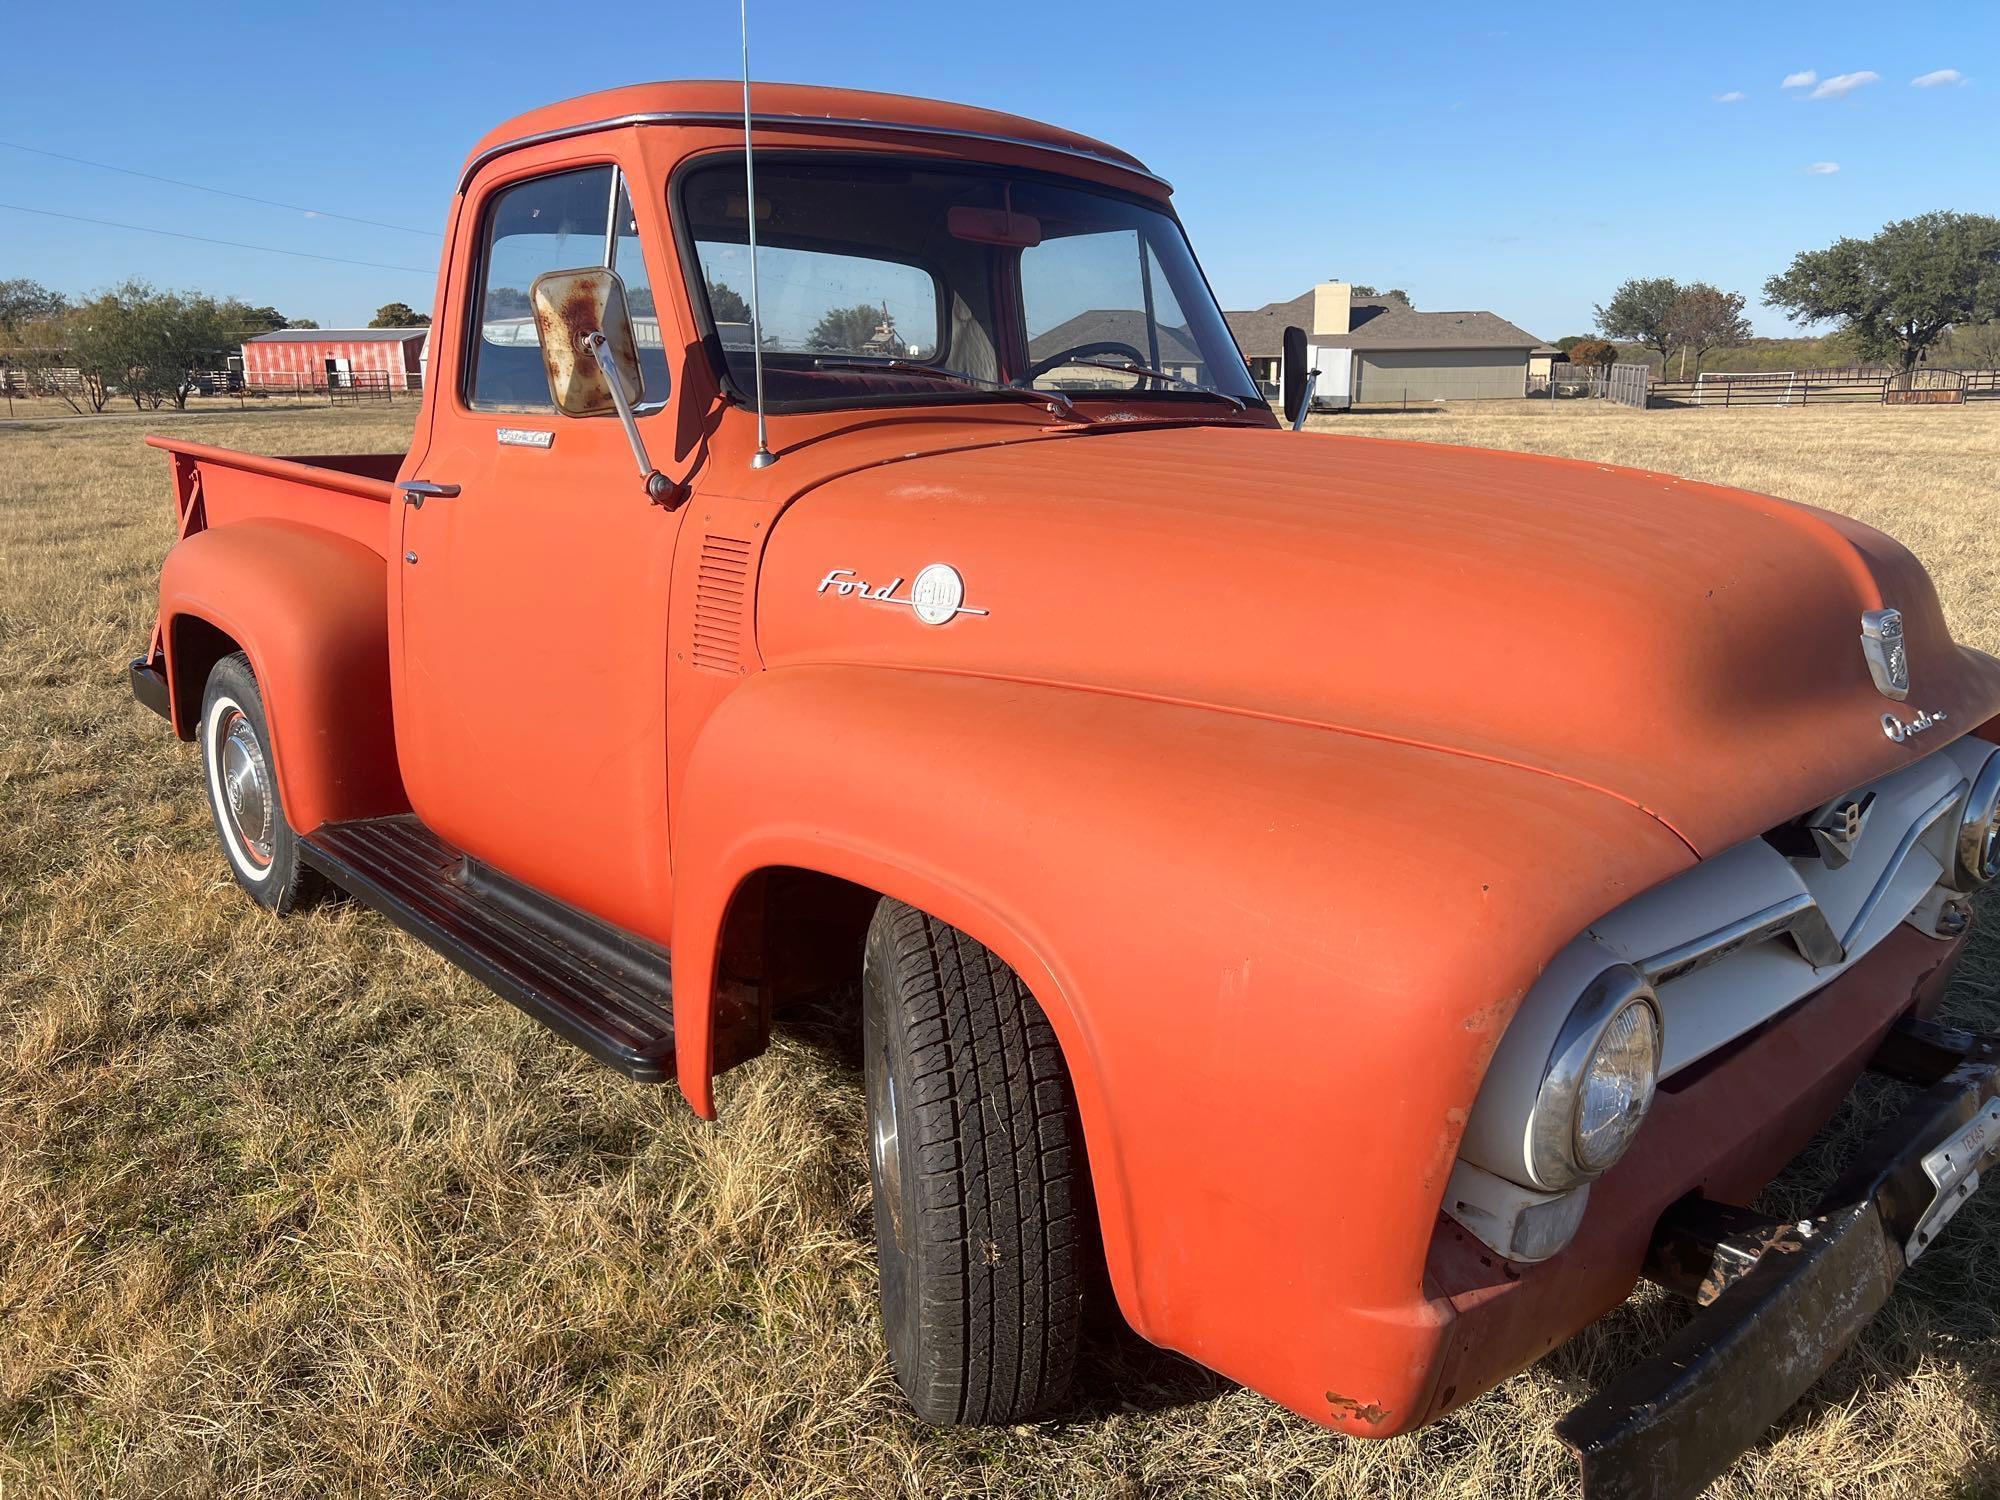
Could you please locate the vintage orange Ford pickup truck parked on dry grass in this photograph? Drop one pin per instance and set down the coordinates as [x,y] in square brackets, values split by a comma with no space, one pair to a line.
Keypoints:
[1377,901]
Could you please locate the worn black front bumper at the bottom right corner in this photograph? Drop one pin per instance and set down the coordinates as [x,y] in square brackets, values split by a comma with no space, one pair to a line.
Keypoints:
[1781,1301]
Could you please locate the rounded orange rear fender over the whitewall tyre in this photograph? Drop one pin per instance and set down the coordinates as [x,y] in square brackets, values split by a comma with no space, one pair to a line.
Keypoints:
[311,611]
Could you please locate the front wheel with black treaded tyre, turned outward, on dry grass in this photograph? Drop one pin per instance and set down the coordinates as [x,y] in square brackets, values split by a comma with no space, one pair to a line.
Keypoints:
[981,1205]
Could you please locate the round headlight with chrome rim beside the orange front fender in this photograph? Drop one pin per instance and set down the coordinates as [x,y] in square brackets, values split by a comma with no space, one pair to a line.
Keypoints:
[1599,1081]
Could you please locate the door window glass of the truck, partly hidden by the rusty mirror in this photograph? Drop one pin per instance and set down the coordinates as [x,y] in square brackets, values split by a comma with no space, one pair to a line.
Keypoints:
[553,223]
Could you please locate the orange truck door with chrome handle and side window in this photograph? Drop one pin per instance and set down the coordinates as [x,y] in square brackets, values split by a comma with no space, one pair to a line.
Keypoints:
[533,579]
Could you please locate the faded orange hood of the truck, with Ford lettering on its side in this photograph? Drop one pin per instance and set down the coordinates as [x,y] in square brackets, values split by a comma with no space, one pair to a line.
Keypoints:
[1689,649]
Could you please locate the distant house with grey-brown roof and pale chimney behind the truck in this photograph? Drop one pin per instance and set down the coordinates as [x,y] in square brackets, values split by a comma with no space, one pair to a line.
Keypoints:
[1379,351]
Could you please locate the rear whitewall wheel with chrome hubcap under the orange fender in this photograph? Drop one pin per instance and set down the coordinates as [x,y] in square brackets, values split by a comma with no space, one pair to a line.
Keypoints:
[243,789]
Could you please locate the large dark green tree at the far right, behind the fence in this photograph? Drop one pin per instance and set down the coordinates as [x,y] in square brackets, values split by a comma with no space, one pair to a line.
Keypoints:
[1901,291]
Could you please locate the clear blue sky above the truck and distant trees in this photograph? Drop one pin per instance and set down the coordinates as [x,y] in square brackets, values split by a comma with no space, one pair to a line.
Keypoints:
[1521,159]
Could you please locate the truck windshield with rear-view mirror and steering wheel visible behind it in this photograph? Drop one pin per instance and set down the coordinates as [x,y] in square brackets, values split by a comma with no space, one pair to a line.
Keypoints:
[893,283]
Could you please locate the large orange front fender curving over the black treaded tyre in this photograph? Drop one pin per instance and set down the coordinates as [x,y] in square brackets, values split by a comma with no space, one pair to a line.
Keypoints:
[1277,959]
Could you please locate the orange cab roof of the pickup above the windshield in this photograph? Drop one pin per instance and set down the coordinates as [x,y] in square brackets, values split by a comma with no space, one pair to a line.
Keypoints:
[713,101]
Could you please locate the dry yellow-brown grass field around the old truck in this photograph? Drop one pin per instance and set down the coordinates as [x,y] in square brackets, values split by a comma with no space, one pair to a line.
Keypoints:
[295,1209]
